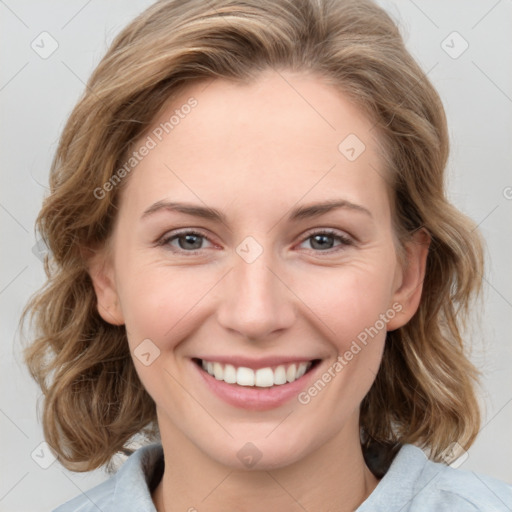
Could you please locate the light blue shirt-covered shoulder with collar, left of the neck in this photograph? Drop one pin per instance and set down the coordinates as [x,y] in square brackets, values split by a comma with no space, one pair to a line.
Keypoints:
[127,490]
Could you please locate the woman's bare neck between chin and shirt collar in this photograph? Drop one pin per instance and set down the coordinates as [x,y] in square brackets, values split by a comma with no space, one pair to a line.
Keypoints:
[334,476]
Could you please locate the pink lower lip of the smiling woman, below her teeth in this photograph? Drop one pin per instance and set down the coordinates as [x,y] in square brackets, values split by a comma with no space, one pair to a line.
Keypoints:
[253,398]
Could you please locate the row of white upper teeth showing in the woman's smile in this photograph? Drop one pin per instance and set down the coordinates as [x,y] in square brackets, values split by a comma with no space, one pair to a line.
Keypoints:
[263,377]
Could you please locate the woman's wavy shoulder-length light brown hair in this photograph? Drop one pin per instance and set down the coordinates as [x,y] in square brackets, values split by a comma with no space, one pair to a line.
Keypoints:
[94,402]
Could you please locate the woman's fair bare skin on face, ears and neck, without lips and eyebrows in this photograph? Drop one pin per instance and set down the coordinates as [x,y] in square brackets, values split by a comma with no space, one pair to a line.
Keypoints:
[255,152]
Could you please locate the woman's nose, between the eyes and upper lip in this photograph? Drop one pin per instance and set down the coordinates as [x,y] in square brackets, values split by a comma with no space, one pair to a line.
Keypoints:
[255,300]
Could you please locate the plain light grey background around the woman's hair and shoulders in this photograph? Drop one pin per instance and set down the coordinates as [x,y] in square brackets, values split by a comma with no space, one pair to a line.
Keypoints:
[37,95]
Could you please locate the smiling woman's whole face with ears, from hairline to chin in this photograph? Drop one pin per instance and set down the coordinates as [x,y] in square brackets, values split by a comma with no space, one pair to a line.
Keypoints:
[260,273]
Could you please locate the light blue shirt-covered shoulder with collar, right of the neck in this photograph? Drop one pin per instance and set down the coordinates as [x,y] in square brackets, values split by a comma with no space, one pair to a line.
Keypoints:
[414,483]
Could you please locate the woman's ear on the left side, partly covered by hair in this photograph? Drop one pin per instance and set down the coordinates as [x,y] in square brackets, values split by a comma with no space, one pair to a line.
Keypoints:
[100,268]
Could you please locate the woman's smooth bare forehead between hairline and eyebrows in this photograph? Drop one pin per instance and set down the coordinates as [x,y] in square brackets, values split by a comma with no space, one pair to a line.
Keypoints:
[284,136]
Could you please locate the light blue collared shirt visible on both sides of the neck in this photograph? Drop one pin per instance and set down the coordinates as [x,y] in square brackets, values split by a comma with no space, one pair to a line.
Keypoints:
[412,484]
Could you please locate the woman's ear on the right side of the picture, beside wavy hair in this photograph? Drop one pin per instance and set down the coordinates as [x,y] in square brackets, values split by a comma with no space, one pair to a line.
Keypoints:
[409,279]
